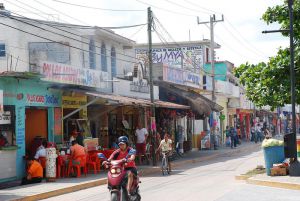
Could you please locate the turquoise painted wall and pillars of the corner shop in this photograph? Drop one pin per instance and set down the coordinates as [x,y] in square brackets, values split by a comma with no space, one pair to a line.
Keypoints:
[25,93]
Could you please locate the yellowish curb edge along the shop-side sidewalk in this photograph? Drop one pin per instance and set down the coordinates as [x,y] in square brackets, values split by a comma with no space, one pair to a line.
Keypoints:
[143,172]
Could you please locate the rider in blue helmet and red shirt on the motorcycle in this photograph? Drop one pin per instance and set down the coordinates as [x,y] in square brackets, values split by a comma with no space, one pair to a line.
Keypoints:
[122,153]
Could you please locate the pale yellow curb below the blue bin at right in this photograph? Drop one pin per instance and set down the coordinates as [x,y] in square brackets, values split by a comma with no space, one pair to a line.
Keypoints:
[285,185]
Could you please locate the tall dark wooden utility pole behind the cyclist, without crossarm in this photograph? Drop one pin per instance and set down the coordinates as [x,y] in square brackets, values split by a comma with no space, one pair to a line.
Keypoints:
[153,137]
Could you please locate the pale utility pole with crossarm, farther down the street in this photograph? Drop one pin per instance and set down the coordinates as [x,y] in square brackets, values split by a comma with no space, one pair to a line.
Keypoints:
[212,22]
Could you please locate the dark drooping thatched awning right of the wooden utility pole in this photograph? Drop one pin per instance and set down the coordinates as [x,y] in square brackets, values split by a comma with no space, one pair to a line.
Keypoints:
[198,103]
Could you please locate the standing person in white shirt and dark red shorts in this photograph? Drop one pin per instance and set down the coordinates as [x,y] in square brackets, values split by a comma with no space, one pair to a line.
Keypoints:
[141,139]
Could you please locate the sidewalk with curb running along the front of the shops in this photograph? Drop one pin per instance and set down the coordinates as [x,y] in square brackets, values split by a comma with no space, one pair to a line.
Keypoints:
[67,185]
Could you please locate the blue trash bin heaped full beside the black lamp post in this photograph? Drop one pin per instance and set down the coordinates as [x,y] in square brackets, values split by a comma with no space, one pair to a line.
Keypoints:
[272,155]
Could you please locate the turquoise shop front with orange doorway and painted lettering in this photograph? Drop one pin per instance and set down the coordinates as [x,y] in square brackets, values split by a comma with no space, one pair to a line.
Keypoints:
[30,111]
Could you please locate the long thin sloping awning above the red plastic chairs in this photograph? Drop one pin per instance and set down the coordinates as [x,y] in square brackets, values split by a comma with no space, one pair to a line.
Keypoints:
[124,100]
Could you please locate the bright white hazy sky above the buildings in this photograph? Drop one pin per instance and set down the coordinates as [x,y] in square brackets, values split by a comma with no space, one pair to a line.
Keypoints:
[240,34]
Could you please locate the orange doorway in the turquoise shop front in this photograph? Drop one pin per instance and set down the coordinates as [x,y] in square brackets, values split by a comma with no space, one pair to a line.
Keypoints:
[36,128]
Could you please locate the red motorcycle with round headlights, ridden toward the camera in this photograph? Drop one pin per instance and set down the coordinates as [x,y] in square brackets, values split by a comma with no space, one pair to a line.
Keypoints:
[117,180]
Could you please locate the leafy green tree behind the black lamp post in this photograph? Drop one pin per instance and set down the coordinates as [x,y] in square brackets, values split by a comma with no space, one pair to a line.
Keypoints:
[269,83]
